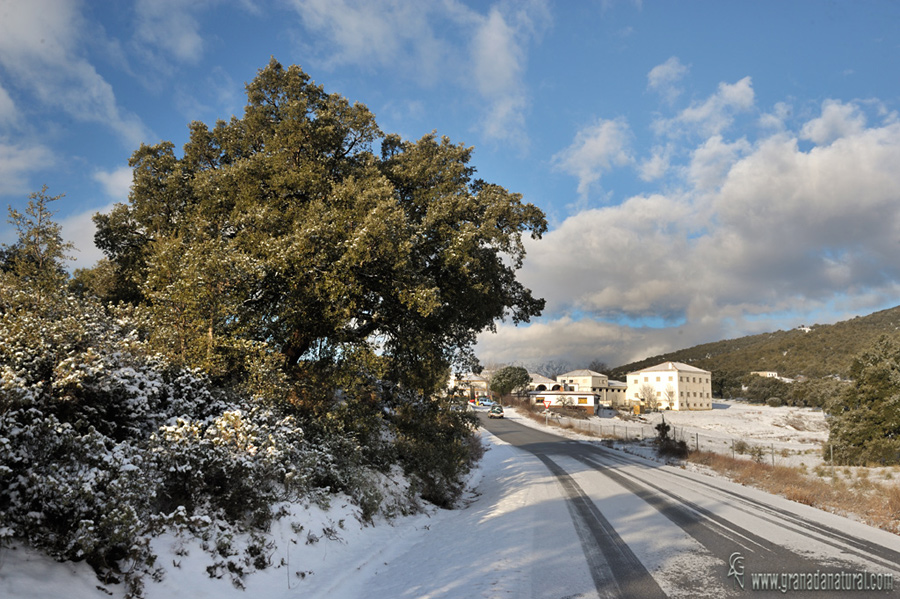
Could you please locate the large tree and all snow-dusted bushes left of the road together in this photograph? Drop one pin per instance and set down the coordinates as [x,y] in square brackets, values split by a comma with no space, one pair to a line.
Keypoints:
[277,313]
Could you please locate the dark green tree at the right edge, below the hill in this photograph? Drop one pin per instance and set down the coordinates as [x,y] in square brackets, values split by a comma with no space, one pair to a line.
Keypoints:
[865,418]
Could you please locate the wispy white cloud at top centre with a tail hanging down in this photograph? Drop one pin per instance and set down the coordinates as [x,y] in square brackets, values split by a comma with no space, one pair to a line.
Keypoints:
[401,35]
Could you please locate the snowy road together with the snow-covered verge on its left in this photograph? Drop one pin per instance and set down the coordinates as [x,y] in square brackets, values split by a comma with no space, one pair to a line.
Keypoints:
[550,517]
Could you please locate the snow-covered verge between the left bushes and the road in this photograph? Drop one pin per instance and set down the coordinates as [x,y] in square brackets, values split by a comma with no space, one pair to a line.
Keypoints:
[505,540]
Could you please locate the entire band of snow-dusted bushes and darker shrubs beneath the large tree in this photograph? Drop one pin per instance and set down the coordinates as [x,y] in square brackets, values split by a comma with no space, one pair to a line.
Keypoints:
[104,443]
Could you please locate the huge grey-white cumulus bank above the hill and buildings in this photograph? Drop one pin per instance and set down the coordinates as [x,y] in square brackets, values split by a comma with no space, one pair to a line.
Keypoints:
[761,231]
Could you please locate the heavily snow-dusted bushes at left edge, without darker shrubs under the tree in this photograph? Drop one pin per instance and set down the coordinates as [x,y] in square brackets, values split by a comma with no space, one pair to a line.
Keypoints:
[101,443]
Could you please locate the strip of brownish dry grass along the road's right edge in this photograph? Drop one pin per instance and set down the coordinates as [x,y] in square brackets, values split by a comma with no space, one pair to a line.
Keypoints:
[875,503]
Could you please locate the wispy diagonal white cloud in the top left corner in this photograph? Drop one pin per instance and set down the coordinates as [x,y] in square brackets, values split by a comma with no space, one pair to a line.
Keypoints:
[40,47]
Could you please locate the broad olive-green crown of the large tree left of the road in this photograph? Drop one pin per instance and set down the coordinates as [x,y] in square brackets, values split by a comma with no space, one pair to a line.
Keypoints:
[301,225]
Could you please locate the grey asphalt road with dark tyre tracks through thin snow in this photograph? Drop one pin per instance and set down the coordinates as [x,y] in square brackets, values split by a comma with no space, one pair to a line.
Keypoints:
[650,530]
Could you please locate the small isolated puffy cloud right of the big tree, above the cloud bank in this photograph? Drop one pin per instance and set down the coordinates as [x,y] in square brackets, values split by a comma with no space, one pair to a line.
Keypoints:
[598,148]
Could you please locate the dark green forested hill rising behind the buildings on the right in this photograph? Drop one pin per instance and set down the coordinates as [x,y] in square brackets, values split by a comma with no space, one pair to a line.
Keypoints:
[816,351]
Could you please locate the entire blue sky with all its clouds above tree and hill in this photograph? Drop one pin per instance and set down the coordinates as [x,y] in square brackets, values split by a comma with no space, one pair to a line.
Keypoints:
[708,169]
